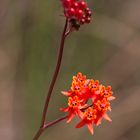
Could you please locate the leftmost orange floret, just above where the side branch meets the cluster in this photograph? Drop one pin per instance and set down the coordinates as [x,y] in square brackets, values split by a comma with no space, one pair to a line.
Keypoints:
[74,106]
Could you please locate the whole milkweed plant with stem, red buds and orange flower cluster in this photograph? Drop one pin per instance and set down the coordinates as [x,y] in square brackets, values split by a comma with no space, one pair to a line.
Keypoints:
[87,98]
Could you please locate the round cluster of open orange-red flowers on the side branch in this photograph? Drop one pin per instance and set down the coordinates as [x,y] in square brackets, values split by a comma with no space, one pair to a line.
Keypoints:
[88,100]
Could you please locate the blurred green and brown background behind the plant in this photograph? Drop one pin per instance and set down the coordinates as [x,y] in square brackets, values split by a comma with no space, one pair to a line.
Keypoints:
[107,49]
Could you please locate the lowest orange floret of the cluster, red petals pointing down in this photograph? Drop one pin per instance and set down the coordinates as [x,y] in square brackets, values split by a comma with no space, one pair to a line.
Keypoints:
[88,119]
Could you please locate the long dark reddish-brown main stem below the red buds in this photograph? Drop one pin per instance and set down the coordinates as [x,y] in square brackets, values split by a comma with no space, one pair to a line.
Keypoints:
[57,68]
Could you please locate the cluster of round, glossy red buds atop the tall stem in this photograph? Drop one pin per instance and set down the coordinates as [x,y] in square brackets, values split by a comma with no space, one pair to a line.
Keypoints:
[77,12]
